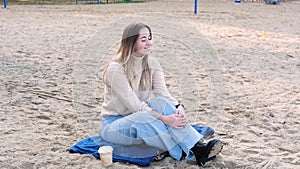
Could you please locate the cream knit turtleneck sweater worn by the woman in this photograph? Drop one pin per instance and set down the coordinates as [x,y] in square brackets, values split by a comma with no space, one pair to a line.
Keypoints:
[121,99]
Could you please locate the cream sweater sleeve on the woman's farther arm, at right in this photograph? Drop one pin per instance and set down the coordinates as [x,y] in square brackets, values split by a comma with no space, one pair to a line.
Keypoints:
[159,87]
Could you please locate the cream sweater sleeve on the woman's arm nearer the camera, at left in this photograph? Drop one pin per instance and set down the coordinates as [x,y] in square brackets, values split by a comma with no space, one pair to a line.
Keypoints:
[118,82]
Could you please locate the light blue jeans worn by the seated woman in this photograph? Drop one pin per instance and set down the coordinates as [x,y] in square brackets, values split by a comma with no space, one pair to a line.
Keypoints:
[142,128]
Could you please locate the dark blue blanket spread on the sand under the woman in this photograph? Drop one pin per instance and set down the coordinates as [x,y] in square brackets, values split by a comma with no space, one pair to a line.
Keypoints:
[136,154]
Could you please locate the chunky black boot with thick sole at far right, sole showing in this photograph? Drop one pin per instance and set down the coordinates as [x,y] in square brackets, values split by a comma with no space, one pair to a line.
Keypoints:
[206,152]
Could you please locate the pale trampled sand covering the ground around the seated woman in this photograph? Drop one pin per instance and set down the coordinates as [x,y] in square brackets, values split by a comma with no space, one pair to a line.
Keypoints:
[235,66]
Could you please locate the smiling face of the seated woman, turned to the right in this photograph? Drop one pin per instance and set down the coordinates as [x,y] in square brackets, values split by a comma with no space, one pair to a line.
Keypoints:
[143,43]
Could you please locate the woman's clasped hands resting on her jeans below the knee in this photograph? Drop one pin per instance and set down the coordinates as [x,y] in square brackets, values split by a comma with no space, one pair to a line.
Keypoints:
[174,120]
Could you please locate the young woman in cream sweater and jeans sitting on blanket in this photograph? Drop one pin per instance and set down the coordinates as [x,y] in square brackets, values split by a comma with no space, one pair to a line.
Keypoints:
[131,116]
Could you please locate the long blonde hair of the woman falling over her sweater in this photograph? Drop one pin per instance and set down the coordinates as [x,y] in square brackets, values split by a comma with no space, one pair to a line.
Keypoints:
[124,55]
